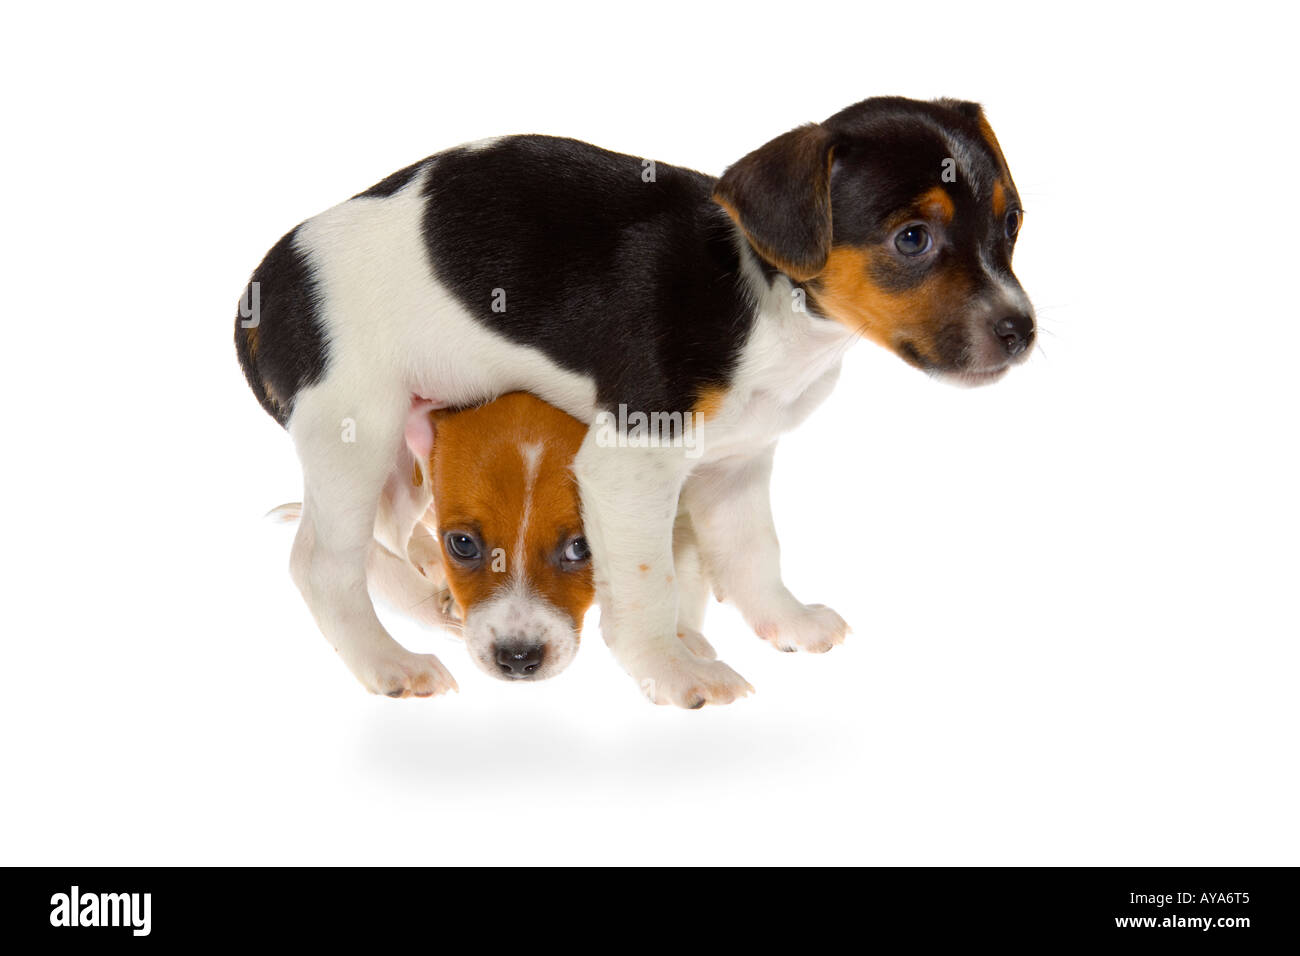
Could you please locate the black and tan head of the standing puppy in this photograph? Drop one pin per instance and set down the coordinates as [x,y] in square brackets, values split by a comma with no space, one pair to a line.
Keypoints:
[899,219]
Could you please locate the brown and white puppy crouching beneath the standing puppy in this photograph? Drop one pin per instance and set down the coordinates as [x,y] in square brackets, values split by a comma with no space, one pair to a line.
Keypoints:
[497,552]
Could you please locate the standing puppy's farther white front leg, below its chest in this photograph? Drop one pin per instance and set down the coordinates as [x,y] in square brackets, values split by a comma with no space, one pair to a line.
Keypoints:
[731,508]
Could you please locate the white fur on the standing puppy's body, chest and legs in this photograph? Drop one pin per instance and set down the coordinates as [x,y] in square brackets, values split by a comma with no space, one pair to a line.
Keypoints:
[396,332]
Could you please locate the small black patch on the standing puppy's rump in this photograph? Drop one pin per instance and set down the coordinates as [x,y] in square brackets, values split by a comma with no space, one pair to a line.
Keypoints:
[287,352]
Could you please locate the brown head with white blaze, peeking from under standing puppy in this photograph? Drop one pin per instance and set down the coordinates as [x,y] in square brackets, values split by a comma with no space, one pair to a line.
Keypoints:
[512,533]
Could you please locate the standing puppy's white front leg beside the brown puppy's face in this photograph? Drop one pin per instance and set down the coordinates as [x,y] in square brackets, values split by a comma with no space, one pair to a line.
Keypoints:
[630,501]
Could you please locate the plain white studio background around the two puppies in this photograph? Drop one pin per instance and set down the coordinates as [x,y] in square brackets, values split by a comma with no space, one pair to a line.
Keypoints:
[1073,592]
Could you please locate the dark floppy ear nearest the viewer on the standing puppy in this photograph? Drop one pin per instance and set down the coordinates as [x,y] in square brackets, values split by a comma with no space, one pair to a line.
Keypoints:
[781,198]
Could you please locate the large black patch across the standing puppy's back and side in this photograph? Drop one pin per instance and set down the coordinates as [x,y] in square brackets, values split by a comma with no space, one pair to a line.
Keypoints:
[635,284]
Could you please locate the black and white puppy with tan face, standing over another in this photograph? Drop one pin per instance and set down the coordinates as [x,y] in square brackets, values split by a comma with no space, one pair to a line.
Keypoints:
[626,292]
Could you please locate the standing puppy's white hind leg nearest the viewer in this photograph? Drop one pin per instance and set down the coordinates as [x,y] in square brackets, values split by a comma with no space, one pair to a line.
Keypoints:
[348,444]
